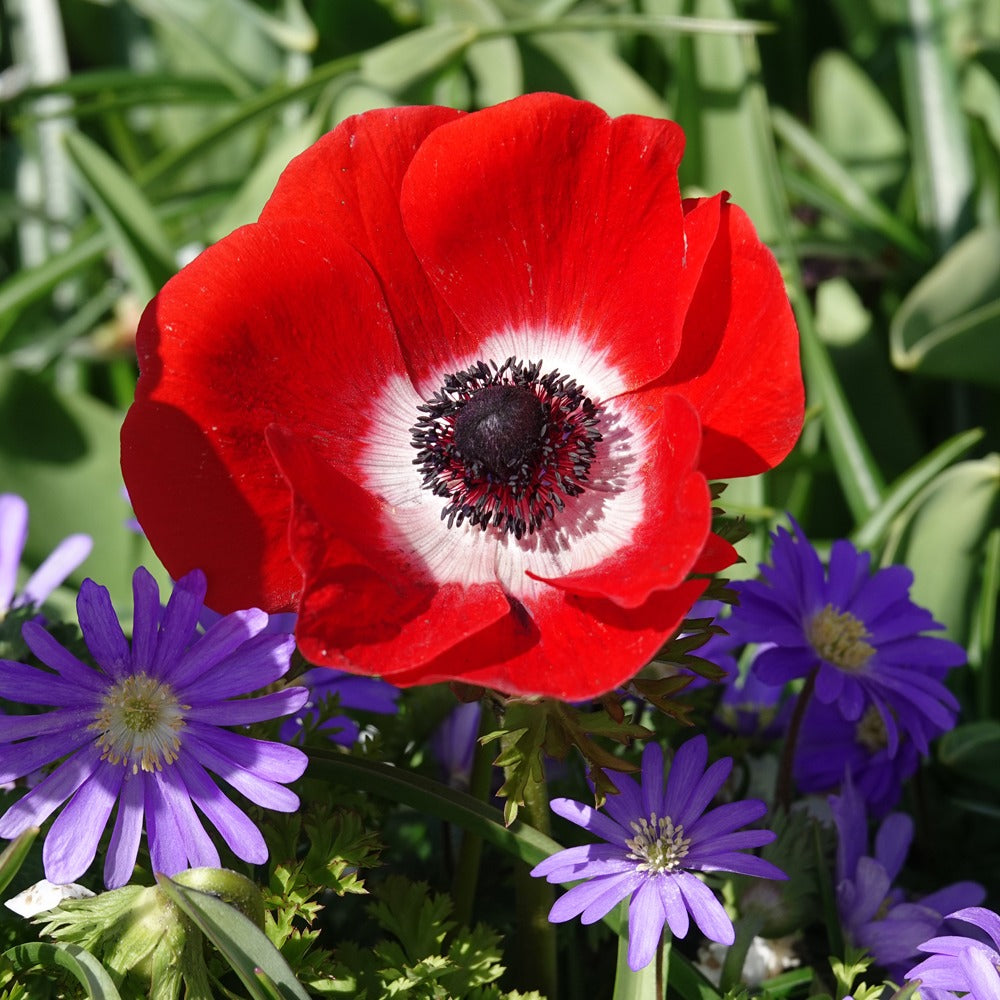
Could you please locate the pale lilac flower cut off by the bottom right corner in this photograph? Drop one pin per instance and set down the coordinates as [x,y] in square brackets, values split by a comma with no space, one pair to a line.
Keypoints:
[963,964]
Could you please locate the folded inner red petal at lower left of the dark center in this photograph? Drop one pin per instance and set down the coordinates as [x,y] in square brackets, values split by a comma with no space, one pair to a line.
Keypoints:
[368,605]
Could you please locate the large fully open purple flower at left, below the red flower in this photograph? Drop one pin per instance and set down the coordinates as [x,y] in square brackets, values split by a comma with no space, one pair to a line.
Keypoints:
[142,729]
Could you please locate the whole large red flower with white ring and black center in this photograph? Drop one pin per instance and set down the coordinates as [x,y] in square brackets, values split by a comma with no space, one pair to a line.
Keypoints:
[456,396]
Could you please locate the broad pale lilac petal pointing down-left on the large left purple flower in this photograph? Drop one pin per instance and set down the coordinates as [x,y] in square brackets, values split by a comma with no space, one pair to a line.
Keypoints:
[71,844]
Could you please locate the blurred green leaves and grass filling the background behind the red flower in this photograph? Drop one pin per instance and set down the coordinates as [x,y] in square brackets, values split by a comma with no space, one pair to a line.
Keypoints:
[862,136]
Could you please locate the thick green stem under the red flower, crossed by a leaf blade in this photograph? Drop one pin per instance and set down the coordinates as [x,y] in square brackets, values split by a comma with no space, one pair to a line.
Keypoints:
[535,941]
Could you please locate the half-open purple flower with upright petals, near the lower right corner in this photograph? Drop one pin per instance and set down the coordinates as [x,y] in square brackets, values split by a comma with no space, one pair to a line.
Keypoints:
[875,914]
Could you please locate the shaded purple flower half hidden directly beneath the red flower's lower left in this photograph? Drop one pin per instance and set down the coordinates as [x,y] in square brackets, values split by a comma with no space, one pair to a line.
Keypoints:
[366,694]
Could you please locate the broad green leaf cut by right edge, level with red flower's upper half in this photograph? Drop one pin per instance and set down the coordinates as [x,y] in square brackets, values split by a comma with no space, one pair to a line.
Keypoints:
[947,325]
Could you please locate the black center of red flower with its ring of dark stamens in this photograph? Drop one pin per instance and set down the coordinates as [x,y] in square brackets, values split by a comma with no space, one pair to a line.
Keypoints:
[505,444]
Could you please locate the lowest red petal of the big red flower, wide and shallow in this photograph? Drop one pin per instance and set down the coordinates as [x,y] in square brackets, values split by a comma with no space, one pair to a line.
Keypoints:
[570,647]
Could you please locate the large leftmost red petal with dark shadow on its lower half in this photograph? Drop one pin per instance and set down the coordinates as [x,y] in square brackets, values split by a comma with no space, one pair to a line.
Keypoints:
[268,325]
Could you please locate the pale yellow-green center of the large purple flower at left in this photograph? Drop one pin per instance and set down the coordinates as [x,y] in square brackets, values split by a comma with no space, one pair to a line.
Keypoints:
[138,724]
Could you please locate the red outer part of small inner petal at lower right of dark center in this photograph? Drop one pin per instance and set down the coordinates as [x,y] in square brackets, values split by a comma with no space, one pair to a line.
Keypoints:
[676,514]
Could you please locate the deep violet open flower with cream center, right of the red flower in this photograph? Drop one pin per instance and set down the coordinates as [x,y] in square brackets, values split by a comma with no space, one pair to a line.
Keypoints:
[859,631]
